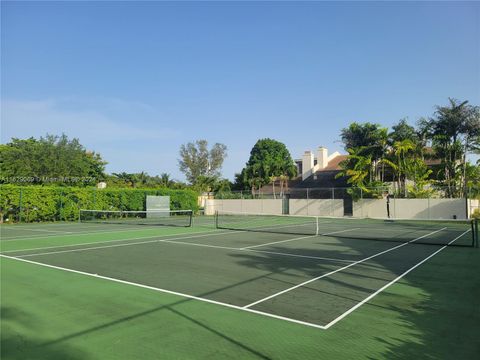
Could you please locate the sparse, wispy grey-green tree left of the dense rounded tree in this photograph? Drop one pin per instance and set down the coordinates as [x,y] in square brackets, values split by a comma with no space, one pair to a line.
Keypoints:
[197,160]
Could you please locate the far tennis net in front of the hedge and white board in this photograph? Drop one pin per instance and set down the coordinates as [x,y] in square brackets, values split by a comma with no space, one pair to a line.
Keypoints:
[181,218]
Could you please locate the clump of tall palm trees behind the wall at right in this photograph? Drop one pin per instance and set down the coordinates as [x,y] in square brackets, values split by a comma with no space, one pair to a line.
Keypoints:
[453,132]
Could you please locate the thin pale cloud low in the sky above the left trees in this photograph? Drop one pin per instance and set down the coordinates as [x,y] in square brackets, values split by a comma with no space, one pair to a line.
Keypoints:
[93,126]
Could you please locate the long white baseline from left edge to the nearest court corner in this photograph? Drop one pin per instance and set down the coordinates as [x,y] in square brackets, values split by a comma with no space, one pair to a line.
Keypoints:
[168,292]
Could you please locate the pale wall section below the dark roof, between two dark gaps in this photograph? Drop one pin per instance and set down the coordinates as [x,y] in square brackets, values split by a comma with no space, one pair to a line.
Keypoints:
[316,207]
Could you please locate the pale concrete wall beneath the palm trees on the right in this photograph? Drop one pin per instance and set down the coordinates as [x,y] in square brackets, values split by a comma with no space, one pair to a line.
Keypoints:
[411,208]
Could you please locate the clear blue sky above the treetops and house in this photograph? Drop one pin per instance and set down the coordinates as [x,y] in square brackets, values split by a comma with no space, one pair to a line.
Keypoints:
[135,80]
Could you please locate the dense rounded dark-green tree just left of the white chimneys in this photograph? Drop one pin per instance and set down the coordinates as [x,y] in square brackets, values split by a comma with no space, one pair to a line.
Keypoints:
[269,160]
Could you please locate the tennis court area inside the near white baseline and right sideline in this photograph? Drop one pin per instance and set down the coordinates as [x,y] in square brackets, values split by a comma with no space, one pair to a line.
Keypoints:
[305,270]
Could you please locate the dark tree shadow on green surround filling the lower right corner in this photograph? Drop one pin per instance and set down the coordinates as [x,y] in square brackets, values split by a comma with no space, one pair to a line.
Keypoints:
[443,318]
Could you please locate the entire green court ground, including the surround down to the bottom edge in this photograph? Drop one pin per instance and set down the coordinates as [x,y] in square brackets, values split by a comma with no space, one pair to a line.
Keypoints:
[111,291]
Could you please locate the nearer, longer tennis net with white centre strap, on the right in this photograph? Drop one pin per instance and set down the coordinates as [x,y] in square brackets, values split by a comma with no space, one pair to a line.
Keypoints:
[434,232]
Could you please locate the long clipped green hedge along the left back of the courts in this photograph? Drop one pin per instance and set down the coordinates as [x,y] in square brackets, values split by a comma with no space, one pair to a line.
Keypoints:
[51,203]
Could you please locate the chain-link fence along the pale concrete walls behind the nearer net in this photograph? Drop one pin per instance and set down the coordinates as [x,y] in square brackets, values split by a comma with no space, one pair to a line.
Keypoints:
[378,202]
